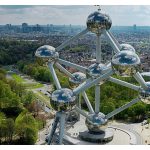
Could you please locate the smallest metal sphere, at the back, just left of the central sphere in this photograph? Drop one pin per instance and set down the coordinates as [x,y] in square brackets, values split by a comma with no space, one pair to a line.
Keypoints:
[78,77]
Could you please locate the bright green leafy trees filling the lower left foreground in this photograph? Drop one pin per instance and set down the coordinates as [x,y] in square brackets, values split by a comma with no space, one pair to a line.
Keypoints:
[19,118]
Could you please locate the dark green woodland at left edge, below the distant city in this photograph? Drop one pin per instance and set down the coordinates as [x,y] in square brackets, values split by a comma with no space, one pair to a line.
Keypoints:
[11,51]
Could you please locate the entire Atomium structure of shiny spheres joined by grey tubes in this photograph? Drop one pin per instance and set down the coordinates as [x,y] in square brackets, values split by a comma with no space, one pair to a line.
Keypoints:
[66,102]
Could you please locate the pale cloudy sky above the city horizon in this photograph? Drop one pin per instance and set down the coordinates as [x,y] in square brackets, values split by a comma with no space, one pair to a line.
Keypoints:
[75,15]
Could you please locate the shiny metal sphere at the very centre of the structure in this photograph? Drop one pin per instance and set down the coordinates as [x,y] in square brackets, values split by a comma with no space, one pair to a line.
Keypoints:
[96,69]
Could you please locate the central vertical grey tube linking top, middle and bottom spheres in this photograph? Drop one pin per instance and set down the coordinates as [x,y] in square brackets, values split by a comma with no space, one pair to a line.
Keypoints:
[97,87]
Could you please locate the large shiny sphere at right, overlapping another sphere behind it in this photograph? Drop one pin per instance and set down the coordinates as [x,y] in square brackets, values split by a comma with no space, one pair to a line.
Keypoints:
[126,63]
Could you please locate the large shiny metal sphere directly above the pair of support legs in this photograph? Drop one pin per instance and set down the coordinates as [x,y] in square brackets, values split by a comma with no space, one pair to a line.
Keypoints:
[63,100]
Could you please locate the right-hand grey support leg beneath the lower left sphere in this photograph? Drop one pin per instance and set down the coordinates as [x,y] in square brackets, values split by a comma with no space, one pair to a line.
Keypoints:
[62,127]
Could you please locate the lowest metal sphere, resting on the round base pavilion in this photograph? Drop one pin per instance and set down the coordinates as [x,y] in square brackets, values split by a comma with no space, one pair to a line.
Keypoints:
[97,123]
